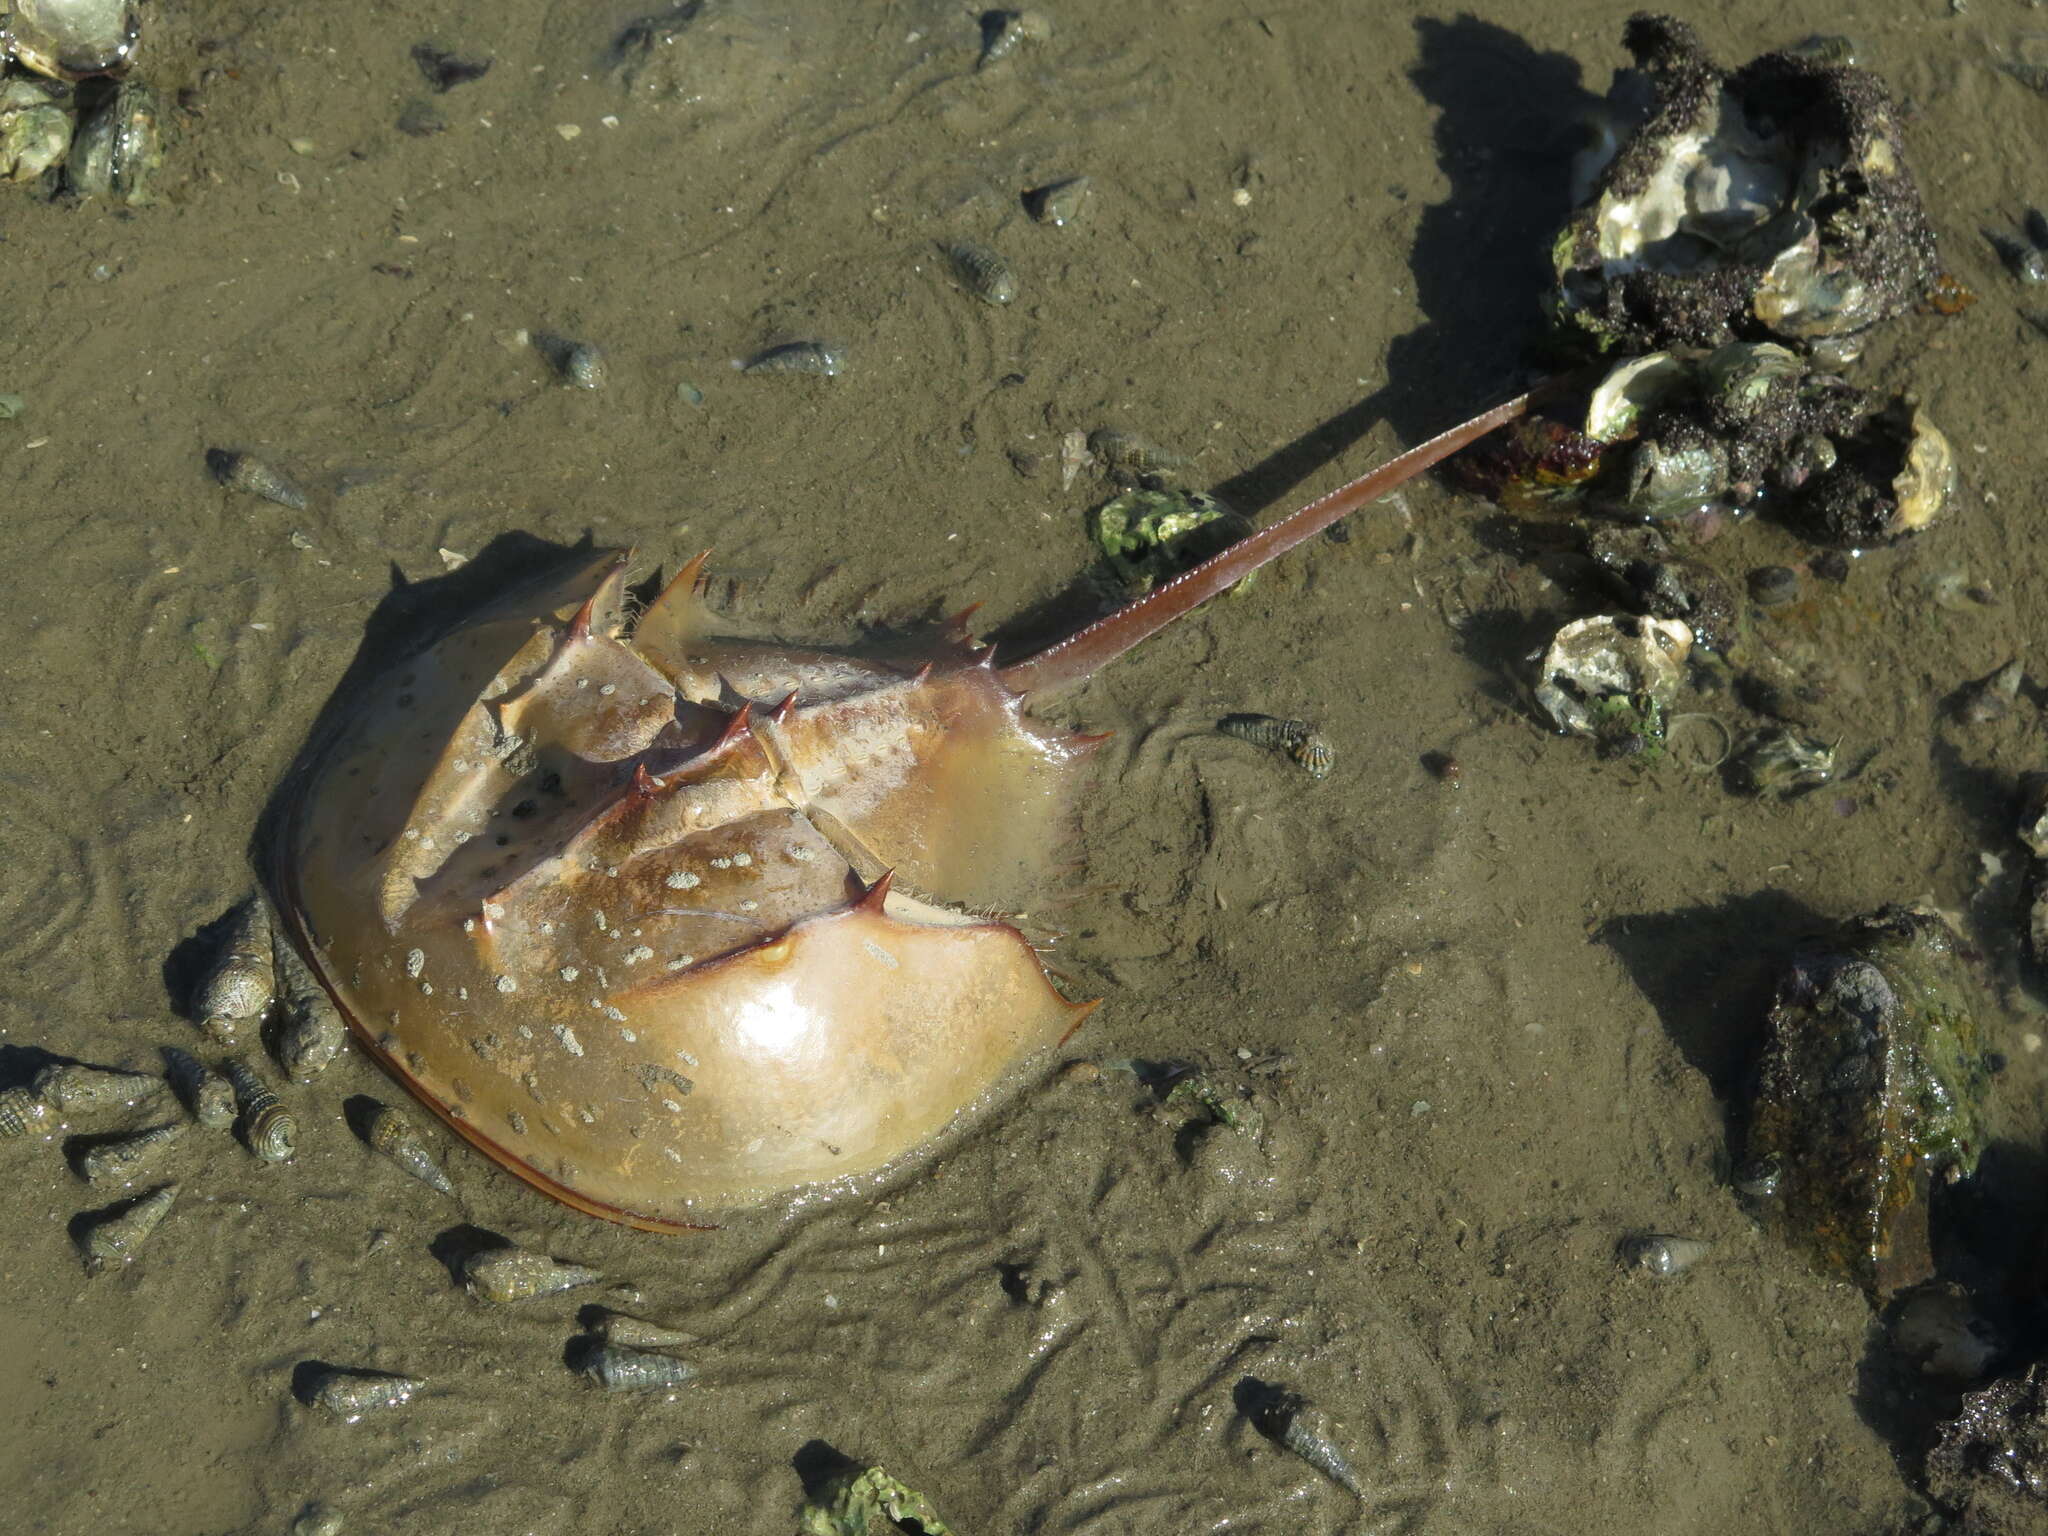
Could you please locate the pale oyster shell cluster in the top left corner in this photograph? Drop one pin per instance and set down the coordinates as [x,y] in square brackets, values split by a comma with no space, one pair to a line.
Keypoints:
[67,112]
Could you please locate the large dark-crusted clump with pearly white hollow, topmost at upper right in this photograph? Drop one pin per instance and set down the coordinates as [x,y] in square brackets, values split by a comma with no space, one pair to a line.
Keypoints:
[1762,204]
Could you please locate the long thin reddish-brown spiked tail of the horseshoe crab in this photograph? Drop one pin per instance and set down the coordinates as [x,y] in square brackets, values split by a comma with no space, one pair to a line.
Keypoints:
[1093,648]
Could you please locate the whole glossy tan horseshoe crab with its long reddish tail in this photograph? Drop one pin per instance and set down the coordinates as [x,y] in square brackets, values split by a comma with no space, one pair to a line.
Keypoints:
[673,923]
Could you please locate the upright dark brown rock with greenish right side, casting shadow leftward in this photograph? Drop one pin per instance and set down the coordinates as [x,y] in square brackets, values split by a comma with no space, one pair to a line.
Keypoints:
[1867,1095]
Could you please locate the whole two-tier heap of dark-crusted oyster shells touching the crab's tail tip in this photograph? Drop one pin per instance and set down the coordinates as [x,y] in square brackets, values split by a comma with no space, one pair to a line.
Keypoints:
[1738,237]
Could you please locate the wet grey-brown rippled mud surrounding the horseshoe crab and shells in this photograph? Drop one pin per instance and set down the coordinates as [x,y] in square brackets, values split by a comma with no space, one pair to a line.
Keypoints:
[1494,1027]
